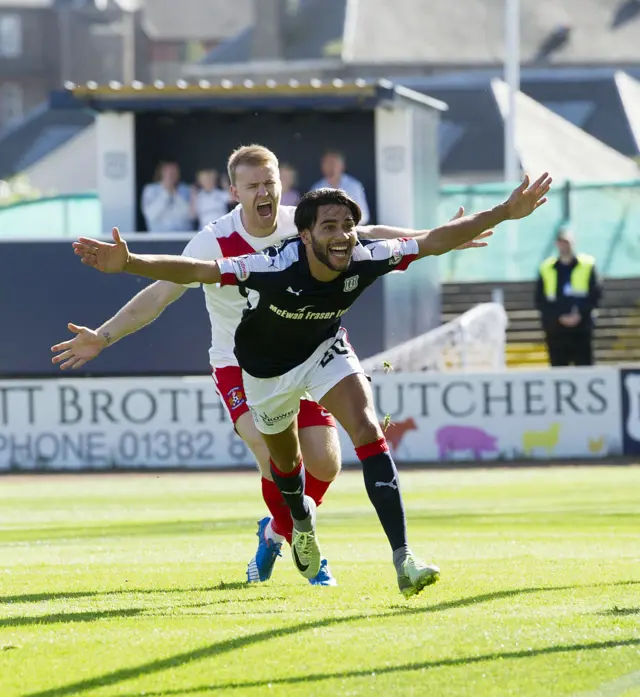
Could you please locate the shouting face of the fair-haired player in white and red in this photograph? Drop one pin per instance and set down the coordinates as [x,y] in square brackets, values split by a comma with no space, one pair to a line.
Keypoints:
[258,189]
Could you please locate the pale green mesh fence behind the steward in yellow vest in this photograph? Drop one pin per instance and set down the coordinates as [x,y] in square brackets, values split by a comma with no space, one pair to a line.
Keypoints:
[605,219]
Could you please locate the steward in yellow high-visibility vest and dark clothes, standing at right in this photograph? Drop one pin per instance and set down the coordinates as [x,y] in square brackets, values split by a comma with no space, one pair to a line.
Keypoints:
[567,293]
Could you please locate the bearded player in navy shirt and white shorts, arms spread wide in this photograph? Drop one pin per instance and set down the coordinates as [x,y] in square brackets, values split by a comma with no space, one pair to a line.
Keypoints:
[290,344]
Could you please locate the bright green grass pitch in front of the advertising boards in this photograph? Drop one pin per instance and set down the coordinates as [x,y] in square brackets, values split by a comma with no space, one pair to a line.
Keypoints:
[133,585]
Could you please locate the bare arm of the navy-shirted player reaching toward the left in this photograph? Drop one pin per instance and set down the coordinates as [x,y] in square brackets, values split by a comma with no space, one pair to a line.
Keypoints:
[116,258]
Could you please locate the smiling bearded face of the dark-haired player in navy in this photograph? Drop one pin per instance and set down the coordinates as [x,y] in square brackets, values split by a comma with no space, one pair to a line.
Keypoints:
[334,236]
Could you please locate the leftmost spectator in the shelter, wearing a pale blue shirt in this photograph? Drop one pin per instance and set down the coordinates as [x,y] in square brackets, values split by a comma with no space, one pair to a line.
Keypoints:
[166,203]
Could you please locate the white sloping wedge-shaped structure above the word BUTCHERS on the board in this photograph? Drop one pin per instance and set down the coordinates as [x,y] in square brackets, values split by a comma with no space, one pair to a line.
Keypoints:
[473,342]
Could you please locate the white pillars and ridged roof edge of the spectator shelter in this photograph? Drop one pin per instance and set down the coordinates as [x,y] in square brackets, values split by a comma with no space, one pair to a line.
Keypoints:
[405,124]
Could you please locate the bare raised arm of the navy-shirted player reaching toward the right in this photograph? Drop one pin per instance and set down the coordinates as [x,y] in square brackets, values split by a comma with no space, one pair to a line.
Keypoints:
[523,201]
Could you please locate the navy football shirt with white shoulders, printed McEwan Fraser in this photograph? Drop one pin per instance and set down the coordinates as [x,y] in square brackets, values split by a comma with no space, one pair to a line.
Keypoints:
[295,312]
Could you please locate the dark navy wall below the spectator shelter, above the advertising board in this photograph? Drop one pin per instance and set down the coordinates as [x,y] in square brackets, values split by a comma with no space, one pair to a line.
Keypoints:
[43,286]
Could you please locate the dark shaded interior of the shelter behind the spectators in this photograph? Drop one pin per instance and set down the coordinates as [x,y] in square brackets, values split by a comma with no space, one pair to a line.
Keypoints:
[205,140]
